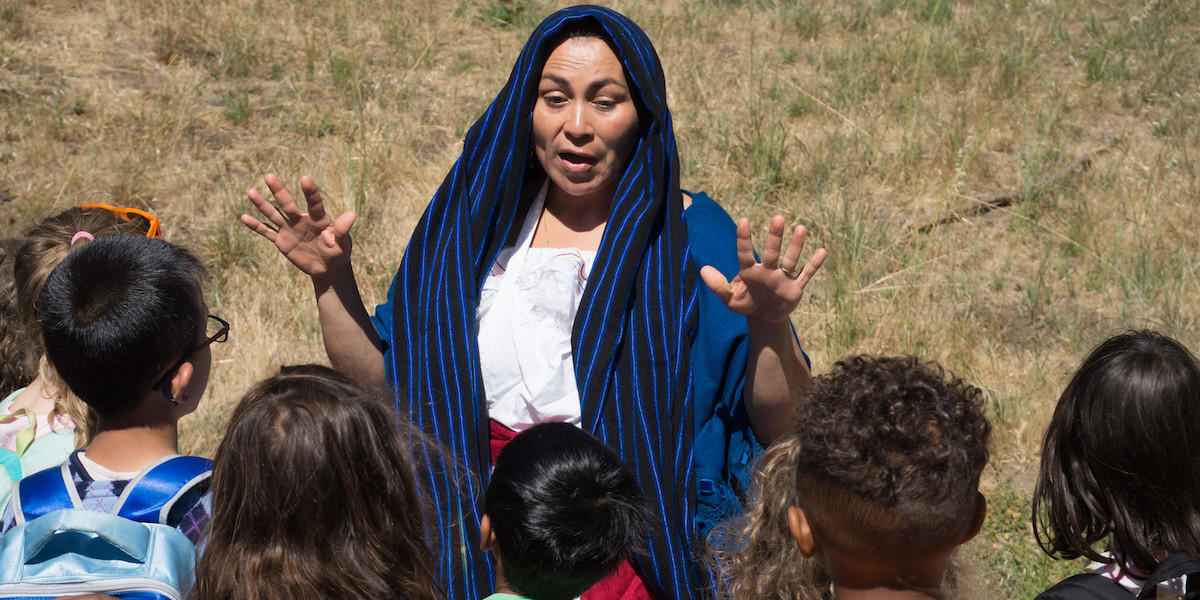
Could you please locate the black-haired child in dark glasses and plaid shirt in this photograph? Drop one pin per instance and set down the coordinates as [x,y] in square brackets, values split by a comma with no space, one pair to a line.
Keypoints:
[127,328]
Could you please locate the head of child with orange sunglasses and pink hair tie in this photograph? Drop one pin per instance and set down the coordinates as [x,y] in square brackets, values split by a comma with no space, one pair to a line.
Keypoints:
[26,271]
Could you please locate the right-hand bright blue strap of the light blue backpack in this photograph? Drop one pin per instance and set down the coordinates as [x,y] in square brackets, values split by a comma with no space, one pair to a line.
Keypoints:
[153,494]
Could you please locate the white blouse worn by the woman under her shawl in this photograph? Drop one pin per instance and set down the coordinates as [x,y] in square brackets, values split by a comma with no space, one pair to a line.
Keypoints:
[525,317]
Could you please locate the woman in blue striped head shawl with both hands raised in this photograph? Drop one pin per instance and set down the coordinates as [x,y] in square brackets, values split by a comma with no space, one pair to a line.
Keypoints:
[577,155]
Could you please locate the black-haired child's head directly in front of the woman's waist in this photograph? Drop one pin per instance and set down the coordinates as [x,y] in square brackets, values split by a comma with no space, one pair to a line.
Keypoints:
[562,512]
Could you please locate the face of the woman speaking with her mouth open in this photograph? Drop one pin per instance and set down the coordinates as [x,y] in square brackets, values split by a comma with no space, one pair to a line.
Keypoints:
[585,123]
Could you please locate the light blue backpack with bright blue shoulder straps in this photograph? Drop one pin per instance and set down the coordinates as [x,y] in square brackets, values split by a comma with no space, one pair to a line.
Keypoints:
[59,549]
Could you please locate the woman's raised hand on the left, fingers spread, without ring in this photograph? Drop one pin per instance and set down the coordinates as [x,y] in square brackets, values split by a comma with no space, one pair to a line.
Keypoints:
[316,244]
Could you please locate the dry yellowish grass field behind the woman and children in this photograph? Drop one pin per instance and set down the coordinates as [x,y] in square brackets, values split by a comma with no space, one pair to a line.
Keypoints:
[865,119]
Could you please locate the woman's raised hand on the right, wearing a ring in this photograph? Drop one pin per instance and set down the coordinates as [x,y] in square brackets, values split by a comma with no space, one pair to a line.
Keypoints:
[767,290]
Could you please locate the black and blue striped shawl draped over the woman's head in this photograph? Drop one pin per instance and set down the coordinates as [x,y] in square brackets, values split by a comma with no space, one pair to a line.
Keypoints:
[632,334]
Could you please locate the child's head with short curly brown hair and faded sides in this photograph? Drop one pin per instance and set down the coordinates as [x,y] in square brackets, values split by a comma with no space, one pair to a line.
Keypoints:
[890,452]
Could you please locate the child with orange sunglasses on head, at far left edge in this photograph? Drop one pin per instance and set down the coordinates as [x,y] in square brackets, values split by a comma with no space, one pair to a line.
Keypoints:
[41,421]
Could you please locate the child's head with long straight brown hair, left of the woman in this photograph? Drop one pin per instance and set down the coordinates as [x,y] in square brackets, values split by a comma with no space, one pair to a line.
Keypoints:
[314,497]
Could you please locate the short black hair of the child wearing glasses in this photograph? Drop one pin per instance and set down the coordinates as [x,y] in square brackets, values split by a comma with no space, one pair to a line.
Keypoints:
[117,313]
